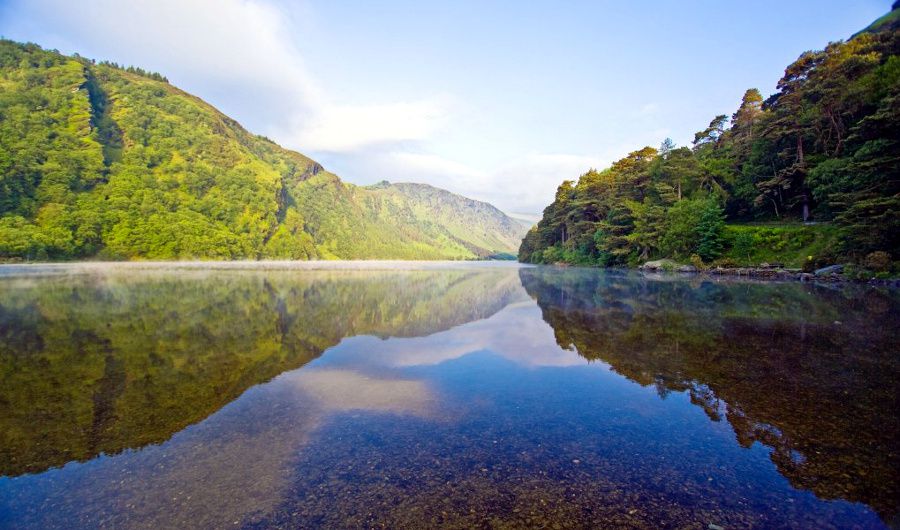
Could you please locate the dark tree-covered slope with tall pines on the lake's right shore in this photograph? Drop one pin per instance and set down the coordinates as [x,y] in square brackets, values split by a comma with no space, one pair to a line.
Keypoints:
[825,148]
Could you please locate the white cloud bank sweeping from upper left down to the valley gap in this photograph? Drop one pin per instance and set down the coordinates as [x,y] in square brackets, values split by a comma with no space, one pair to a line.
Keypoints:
[242,56]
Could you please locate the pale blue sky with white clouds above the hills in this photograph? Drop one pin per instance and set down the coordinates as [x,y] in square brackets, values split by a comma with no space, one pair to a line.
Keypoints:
[498,101]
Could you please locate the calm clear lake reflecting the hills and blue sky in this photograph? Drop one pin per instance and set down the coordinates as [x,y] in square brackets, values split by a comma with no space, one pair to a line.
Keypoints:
[411,395]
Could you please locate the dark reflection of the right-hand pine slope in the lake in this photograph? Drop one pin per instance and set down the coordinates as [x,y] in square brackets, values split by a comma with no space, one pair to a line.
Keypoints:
[811,372]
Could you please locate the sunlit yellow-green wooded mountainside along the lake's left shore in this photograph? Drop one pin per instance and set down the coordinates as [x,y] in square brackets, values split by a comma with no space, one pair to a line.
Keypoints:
[97,160]
